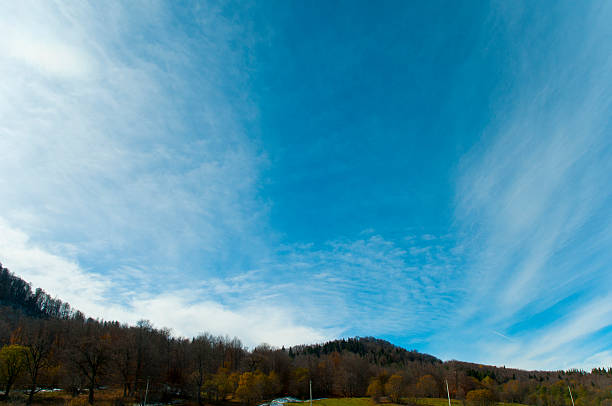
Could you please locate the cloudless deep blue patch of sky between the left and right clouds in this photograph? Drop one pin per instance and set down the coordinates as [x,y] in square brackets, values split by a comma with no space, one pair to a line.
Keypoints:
[364,111]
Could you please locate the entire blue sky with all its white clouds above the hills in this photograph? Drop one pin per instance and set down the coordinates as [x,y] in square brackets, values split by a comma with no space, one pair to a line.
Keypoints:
[434,173]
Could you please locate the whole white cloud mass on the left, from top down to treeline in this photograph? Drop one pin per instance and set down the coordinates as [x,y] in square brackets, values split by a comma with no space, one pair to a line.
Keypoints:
[126,170]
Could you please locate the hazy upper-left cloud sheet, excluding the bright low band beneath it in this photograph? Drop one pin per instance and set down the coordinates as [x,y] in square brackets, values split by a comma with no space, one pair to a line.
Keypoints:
[98,150]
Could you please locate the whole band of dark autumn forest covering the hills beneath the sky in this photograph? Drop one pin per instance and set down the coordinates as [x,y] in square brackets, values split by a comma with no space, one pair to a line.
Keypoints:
[45,344]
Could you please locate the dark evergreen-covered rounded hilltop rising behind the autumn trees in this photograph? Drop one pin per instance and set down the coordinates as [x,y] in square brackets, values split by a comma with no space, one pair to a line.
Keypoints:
[376,351]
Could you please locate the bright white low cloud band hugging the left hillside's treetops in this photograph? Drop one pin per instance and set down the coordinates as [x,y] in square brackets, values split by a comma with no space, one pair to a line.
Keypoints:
[235,306]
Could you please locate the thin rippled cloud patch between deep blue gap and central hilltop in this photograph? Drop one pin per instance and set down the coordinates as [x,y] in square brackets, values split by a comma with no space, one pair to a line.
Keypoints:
[370,285]
